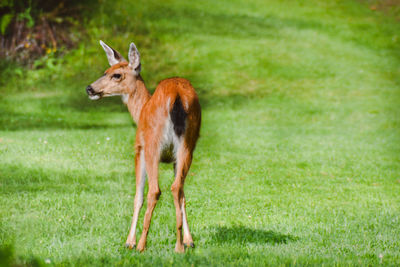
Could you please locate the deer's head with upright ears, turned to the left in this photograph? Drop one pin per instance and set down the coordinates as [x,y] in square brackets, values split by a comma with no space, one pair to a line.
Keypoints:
[120,78]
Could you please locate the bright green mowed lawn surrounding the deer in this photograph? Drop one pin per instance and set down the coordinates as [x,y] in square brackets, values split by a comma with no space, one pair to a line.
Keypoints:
[298,161]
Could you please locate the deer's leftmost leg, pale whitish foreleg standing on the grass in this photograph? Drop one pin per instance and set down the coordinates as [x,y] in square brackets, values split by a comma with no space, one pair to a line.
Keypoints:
[140,183]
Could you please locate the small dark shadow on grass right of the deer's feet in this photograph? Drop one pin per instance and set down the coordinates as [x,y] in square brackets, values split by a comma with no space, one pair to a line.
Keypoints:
[244,235]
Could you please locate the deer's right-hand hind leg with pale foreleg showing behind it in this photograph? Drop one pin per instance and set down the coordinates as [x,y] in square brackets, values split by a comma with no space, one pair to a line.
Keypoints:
[184,159]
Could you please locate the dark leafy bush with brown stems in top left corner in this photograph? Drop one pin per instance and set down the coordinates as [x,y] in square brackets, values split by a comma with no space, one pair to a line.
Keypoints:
[30,29]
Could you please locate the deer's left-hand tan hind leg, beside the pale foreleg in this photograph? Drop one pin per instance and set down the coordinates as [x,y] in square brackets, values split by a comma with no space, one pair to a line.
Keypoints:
[152,197]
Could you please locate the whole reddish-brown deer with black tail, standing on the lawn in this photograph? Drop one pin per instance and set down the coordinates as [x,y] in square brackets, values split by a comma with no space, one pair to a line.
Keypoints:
[168,126]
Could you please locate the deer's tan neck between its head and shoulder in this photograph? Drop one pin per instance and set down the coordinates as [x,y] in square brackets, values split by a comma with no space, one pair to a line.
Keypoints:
[136,99]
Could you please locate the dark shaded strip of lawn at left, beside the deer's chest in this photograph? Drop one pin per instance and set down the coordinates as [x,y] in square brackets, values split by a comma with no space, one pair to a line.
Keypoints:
[70,112]
